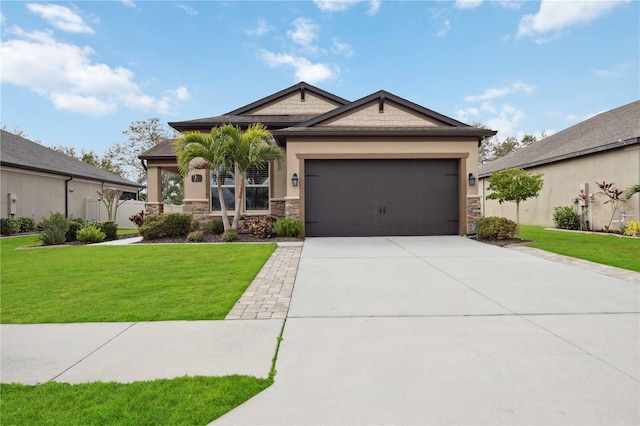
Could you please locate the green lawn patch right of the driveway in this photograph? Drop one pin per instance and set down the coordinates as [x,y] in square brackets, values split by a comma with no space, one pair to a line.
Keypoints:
[599,248]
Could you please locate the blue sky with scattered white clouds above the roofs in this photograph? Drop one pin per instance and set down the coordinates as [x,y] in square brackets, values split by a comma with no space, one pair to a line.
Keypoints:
[79,72]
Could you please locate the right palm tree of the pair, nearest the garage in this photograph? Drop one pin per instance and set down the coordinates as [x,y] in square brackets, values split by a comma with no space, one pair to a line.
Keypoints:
[250,148]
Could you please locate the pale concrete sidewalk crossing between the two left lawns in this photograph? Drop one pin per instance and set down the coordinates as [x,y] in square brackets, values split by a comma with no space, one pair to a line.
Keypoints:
[128,352]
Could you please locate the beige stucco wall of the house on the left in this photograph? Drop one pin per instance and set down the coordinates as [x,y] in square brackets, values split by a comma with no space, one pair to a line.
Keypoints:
[39,193]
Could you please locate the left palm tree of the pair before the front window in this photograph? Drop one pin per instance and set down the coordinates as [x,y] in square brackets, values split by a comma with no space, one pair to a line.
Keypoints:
[213,149]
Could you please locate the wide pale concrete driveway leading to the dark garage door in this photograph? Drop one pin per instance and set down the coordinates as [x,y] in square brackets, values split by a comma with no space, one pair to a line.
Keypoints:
[446,330]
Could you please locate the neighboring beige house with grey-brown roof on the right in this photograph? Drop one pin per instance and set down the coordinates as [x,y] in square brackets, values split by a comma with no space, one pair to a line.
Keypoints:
[605,148]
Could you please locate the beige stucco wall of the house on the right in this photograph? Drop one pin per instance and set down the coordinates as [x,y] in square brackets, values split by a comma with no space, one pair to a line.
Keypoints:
[562,183]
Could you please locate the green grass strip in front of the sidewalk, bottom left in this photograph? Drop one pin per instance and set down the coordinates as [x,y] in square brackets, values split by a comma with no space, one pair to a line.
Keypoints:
[181,401]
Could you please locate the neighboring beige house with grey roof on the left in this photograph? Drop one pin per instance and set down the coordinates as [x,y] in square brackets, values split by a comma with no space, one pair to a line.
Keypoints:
[37,180]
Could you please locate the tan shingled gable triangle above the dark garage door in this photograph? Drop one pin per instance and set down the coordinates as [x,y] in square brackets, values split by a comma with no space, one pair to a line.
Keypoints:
[391,115]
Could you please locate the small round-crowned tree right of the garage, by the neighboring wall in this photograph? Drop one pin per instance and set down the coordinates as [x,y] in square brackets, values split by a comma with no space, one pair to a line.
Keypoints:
[514,185]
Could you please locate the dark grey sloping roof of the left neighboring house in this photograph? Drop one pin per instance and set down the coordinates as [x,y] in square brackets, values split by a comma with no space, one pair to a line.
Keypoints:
[24,154]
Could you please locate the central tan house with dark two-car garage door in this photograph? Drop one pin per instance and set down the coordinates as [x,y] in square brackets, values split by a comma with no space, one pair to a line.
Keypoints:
[380,165]
